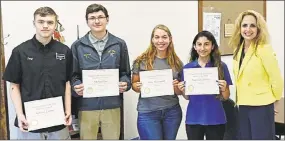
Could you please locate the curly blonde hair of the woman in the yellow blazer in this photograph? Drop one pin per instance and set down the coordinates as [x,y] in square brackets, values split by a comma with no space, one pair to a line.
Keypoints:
[262,36]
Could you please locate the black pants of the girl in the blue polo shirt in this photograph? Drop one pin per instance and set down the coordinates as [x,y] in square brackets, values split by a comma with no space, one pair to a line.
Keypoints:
[212,132]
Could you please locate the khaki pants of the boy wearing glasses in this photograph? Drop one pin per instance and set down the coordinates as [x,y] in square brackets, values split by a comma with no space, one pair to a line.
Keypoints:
[108,120]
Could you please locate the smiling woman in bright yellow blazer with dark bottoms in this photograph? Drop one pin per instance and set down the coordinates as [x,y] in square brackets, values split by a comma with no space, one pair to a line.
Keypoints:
[258,78]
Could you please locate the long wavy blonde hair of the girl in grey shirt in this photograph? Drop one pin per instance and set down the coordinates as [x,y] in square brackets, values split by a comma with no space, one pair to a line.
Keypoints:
[149,55]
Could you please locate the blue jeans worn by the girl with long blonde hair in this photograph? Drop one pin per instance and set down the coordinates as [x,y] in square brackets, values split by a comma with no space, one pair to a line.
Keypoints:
[160,125]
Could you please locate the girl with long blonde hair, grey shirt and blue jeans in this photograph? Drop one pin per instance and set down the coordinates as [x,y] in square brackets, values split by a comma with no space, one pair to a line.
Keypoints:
[159,117]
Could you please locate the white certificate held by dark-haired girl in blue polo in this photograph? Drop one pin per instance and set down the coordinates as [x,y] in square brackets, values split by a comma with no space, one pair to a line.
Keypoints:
[201,81]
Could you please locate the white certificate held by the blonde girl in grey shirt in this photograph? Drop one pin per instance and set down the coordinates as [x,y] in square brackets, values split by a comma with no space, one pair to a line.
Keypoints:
[156,83]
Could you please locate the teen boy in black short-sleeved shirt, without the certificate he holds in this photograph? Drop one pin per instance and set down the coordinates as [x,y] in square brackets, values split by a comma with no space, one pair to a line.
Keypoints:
[39,68]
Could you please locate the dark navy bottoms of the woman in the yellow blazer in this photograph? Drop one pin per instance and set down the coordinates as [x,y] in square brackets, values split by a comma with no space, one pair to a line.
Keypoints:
[256,122]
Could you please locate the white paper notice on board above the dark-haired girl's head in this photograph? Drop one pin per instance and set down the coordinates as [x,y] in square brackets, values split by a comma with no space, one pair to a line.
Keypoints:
[212,23]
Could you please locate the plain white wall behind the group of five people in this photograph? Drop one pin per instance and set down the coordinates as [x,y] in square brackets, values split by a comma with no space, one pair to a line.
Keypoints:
[132,21]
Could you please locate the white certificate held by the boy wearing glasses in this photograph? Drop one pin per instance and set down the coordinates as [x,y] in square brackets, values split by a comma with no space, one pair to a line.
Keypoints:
[100,83]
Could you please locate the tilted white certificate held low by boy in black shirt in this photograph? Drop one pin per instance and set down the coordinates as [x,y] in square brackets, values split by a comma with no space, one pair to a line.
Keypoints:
[44,113]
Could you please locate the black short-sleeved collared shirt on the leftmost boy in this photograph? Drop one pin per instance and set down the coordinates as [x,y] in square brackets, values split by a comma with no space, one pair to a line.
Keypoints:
[42,71]
